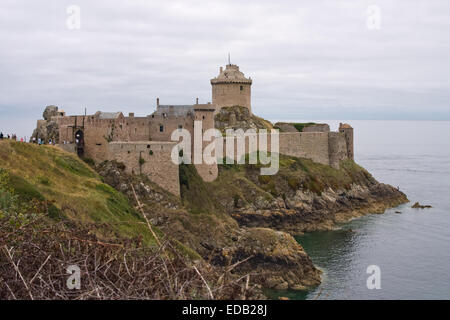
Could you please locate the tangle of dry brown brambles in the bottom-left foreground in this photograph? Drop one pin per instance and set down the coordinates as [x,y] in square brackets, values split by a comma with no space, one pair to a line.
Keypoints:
[110,269]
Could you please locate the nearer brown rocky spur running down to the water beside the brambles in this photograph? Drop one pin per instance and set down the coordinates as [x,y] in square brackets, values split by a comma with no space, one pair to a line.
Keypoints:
[272,258]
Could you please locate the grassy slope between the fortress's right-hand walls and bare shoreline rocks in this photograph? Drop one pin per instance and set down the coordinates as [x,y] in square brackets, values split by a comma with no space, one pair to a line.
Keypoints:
[244,182]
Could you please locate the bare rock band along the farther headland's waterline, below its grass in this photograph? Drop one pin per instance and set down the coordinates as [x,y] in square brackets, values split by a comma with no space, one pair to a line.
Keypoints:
[308,211]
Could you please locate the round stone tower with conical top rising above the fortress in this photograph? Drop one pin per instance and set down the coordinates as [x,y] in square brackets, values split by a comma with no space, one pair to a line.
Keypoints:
[231,88]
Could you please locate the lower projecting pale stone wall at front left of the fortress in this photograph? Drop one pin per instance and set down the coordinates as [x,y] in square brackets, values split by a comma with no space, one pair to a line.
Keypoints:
[157,162]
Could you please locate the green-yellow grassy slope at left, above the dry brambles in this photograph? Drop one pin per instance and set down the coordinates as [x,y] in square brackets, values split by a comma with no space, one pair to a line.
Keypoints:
[76,191]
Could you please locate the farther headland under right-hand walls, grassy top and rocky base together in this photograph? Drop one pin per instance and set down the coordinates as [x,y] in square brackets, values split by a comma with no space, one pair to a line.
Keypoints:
[304,196]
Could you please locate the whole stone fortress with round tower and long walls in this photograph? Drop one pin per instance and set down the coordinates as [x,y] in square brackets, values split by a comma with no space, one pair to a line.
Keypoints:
[144,146]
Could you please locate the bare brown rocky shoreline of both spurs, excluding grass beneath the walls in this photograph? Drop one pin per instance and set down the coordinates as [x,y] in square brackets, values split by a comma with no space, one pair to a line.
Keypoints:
[254,238]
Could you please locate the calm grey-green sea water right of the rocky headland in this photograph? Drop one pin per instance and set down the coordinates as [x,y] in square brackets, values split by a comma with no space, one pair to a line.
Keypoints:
[412,249]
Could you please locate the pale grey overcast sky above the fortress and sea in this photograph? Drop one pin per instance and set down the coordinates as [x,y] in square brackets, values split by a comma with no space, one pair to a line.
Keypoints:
[308,59]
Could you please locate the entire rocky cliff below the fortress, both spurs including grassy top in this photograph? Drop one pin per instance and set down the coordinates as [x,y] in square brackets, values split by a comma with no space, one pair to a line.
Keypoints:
[247,219]
